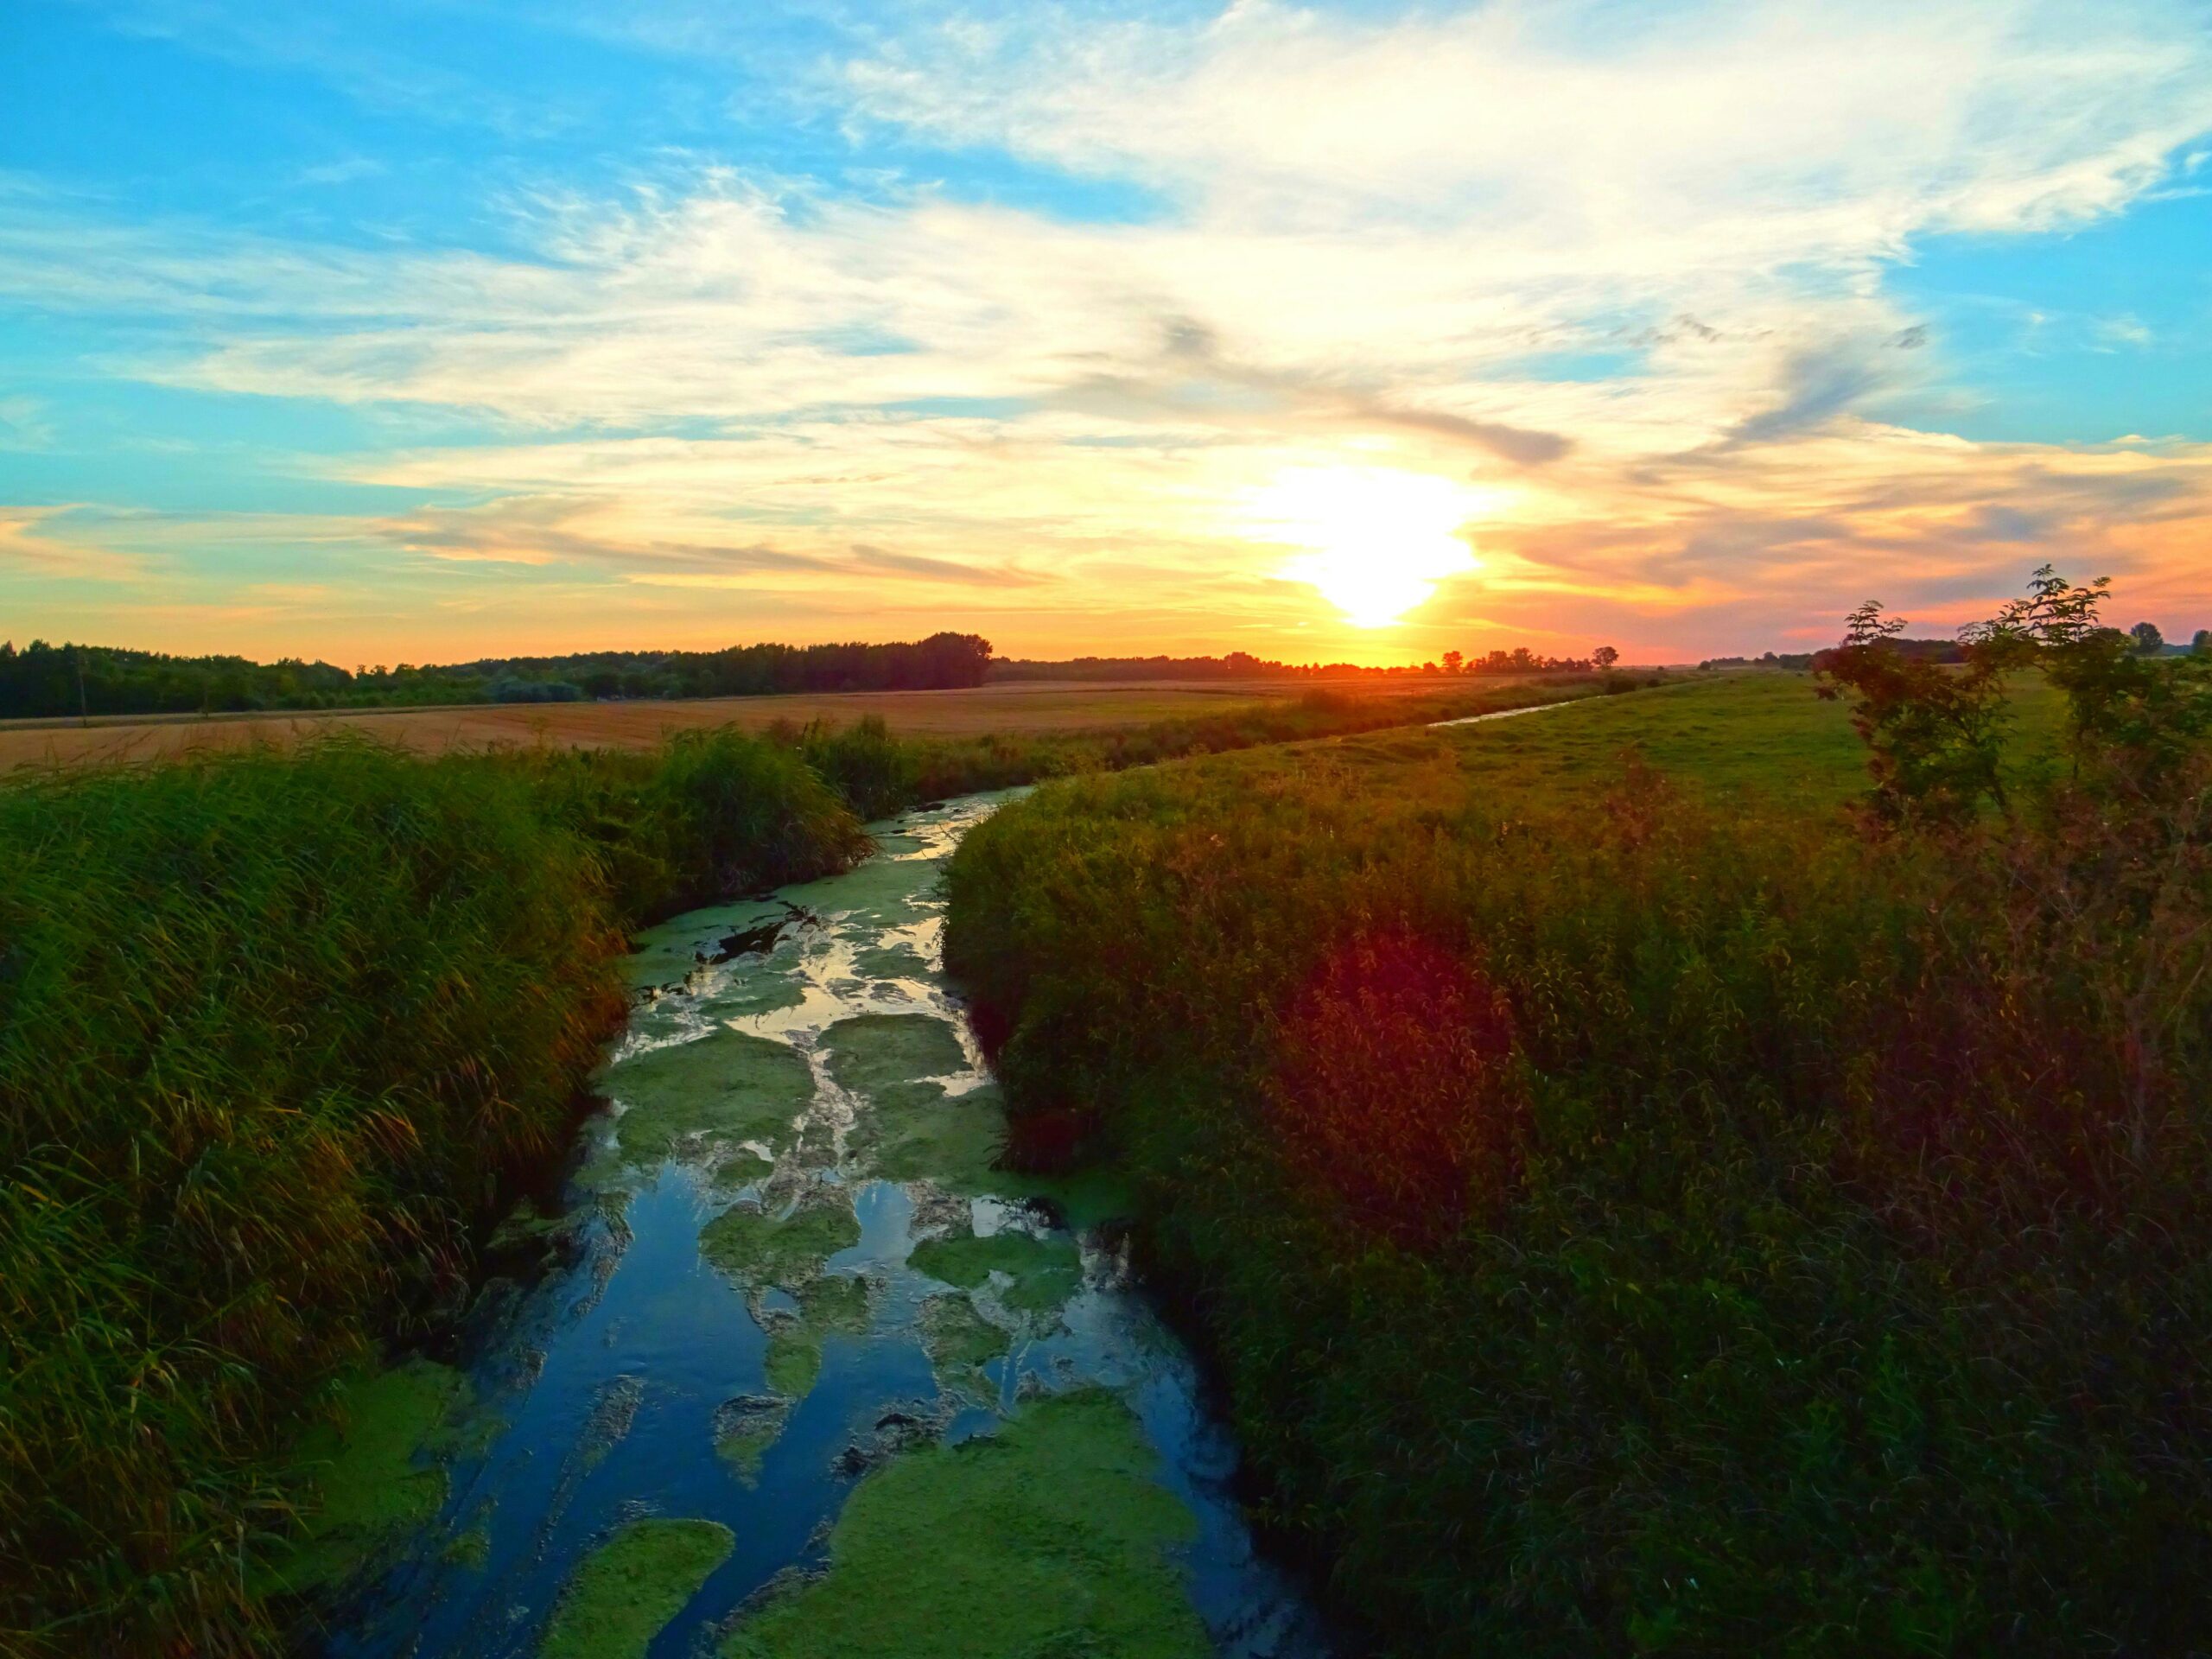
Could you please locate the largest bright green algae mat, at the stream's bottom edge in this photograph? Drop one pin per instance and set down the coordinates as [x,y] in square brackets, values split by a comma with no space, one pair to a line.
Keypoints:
[1047,1541]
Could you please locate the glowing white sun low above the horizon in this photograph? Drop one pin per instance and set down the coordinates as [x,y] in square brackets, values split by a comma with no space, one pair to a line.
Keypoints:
[1379,539]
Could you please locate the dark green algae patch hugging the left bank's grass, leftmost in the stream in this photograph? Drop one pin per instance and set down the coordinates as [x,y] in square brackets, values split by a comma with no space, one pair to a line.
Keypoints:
[366,1474]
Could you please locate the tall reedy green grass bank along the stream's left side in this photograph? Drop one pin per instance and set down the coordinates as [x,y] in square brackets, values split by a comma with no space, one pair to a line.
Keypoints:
[278,1036]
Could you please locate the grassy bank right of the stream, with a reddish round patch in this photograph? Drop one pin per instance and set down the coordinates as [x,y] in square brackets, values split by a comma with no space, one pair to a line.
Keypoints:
[1636,1209]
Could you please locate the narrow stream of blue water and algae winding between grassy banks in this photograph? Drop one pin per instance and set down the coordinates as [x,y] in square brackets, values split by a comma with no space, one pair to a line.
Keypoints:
[786,1271]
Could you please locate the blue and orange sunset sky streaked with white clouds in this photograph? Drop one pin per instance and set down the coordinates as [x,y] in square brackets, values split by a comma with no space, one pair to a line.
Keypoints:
[417,331]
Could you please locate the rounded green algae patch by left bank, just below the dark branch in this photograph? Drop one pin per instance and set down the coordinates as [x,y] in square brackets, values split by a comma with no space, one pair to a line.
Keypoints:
[724,1087]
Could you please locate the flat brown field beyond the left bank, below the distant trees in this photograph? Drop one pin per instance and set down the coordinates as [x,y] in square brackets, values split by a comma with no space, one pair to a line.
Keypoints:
[1008,709]
